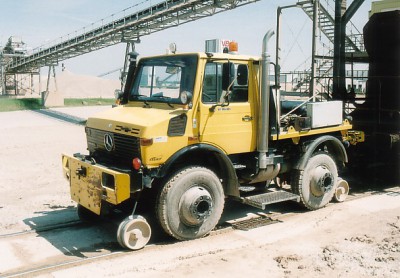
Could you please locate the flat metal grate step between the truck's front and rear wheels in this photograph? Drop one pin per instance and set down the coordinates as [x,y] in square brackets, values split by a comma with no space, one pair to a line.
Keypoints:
[261,200]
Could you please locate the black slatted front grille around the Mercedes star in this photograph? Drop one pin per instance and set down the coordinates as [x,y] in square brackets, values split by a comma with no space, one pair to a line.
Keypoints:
[124,148]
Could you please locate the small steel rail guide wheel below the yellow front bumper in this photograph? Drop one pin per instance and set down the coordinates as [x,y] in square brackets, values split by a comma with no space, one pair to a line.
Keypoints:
[134,232]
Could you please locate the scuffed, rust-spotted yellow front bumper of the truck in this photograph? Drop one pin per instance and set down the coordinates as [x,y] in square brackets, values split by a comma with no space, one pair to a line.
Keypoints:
[92,183]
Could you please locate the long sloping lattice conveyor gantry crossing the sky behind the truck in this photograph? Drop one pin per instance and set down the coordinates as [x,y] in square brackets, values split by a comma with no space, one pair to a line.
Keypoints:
[132,27]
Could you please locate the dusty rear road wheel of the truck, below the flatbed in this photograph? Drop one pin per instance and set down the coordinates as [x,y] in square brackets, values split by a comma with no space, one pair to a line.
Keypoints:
[316,184]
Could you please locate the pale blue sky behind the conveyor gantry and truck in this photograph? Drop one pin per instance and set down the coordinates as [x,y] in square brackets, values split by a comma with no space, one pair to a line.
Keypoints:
[39,22]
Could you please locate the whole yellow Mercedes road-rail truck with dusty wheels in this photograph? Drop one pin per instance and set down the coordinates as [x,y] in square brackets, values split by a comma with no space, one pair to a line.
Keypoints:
[194,129]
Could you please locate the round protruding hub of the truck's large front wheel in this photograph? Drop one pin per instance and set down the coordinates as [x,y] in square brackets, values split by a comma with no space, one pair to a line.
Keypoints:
[196,205]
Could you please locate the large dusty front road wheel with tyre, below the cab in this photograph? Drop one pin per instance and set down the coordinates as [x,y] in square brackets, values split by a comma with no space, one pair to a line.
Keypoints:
[190,204]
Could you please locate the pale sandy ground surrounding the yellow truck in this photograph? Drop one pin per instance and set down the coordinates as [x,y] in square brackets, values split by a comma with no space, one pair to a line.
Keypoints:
[357,238]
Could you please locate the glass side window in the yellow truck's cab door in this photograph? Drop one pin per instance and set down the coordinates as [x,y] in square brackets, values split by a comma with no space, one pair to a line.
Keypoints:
[214,82]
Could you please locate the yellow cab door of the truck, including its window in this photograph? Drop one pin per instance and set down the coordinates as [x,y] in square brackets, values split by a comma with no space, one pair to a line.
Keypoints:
[227,119]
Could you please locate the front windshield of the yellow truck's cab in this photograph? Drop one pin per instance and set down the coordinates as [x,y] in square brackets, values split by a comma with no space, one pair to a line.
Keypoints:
[163,79]
